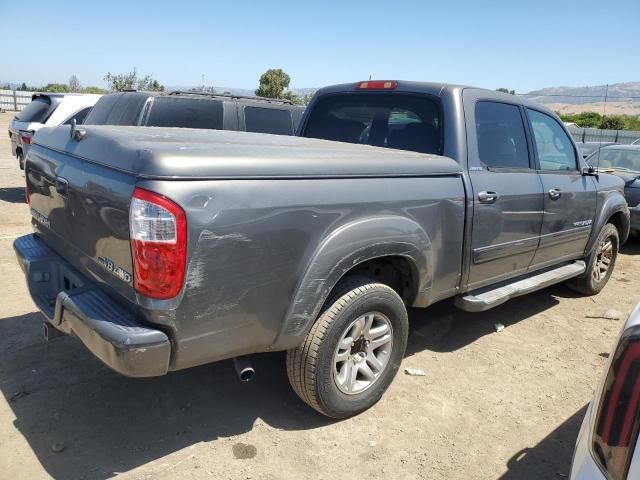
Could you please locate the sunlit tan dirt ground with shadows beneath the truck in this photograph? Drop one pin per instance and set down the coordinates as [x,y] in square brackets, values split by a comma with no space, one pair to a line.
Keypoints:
[492,405]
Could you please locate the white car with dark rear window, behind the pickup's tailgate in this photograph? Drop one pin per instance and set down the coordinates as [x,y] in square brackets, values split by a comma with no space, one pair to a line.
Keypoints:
[46,109]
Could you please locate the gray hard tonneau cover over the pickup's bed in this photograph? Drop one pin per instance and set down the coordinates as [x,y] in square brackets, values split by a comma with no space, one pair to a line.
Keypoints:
[156,152]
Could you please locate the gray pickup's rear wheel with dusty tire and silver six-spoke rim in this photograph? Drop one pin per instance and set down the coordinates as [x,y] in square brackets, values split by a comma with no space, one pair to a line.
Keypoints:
[342,382]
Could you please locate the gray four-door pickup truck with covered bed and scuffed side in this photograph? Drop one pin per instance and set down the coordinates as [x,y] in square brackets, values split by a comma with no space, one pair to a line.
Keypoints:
[161,248]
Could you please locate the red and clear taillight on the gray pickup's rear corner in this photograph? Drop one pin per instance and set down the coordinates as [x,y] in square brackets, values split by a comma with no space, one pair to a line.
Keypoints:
[158,244]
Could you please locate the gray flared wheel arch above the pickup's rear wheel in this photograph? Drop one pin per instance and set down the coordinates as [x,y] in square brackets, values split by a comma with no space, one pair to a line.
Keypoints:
[343,249]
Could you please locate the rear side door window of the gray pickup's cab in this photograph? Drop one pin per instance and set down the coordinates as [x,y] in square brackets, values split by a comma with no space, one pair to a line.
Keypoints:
[501,139]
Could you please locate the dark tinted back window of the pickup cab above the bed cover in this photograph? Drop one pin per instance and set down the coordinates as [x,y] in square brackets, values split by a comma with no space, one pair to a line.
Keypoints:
[405,122]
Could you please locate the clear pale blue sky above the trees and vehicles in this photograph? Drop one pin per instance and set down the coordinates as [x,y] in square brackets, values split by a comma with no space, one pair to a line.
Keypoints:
[518,45]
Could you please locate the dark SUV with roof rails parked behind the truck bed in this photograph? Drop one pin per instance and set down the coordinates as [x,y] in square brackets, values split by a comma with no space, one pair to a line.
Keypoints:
[197,110]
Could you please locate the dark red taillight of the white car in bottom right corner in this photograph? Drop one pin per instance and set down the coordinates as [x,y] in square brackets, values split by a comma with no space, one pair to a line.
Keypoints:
[618,417]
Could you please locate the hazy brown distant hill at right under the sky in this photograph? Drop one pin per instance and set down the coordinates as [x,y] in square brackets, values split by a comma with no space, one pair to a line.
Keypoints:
[618,92]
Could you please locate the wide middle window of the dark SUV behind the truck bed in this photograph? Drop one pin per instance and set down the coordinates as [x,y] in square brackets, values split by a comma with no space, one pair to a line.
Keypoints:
[186,113]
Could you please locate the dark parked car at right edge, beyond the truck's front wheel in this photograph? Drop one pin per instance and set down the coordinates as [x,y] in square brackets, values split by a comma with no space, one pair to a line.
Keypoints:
[623,161]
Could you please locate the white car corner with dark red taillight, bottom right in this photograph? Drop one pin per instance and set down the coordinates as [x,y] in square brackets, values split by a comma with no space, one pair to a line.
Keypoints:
[607,447]
